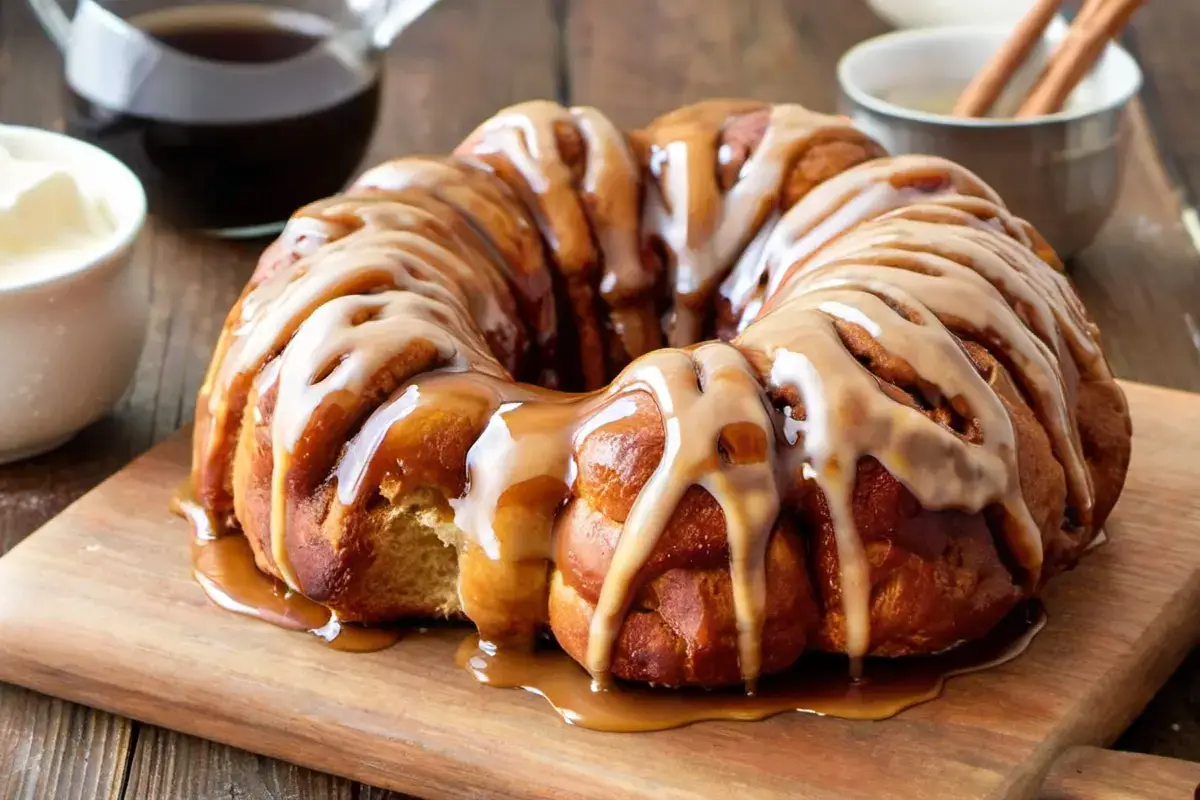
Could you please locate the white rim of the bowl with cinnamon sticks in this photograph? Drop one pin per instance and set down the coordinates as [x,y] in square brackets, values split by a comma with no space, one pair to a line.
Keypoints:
[1119,100]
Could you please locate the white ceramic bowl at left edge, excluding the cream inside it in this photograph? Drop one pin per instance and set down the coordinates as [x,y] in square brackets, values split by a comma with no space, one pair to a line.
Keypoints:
[70,340]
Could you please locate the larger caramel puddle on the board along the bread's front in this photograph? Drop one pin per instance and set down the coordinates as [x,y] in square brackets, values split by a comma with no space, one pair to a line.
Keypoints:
[819,684]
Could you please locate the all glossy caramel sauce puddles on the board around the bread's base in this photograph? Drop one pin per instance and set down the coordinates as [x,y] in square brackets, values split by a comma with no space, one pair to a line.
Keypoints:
[820,684]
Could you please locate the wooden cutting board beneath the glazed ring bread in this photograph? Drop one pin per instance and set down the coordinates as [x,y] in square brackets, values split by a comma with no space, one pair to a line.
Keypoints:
[99,607]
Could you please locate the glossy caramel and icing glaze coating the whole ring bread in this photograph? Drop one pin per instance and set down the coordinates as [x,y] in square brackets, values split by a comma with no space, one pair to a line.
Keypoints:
[385,314]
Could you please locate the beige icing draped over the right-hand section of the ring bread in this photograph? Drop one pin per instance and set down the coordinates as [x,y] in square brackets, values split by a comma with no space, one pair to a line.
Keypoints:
[917,290]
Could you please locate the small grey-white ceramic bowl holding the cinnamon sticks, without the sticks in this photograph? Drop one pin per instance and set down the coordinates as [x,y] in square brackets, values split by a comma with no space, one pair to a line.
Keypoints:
[1061,172]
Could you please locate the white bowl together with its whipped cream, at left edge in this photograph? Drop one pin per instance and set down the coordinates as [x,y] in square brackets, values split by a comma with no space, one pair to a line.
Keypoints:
[74,297]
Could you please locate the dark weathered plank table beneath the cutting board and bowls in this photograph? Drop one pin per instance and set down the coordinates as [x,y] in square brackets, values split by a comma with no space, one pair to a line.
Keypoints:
[634,59]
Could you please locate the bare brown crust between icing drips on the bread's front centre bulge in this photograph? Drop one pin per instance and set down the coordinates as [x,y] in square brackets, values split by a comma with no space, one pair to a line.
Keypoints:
[681,629]
